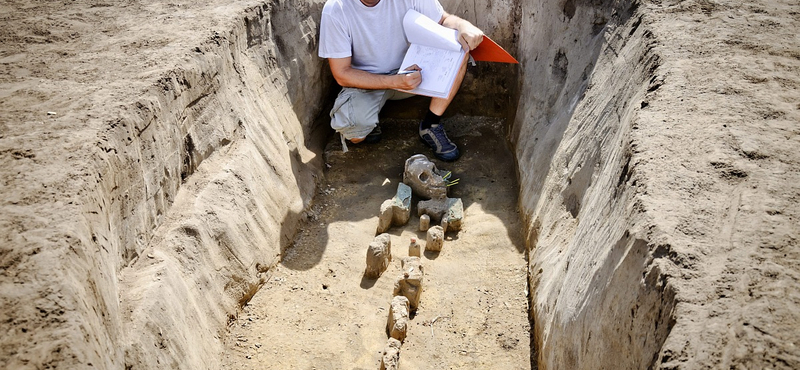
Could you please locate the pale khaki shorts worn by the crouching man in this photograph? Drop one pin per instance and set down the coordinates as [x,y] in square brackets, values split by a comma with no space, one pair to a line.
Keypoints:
[355,112]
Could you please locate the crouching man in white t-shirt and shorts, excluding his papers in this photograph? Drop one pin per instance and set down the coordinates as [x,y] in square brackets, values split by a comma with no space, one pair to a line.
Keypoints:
[364,43]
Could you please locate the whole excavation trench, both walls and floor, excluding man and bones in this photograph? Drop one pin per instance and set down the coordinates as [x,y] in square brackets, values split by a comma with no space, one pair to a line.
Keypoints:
[229,236]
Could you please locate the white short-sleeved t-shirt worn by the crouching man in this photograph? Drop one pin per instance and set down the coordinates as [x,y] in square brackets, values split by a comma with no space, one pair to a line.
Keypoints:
[372,36]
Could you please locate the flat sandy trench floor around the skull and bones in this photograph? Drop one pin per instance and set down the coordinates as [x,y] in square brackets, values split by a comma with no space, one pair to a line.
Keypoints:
[317,311]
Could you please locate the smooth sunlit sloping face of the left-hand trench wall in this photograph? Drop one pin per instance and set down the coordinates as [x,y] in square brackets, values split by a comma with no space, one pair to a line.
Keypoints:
[237,211]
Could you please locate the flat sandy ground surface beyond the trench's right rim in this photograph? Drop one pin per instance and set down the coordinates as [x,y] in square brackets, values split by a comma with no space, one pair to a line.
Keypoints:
[731,91]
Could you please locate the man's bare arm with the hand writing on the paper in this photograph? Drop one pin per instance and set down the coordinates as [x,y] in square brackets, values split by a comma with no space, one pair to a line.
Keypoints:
[347,76]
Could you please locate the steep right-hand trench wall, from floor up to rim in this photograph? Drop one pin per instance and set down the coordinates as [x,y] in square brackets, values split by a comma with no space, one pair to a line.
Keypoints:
[599,300]
